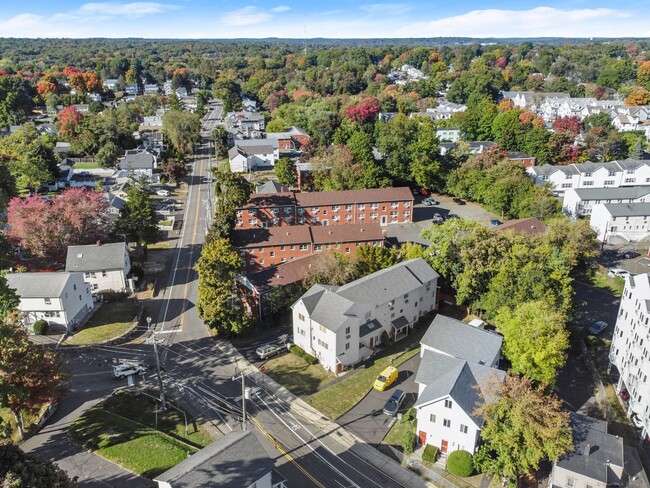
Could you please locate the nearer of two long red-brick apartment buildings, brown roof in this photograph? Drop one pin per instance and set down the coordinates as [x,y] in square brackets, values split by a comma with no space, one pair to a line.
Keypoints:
[261,248]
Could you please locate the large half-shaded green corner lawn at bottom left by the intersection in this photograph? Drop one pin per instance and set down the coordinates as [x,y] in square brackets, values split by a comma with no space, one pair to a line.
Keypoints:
[122,431]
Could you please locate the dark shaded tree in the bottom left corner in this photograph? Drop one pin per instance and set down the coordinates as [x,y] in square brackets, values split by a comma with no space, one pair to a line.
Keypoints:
[18,469]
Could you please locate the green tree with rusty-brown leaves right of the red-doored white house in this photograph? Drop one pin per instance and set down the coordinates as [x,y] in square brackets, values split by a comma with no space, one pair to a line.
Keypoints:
[522,426]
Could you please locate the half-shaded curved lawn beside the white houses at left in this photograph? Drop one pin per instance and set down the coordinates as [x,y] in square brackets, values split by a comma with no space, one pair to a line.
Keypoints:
[112,320]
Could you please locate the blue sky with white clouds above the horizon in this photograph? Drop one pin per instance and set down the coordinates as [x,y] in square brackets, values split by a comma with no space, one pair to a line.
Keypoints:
[333,18]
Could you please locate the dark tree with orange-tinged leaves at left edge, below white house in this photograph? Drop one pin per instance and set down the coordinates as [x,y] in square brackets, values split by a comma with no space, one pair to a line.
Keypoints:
[30,375]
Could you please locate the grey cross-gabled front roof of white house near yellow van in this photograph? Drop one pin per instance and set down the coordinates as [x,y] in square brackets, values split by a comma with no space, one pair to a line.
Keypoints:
[446,376]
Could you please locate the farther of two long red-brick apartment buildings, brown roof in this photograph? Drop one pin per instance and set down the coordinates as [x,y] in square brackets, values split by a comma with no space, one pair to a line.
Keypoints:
[380,205]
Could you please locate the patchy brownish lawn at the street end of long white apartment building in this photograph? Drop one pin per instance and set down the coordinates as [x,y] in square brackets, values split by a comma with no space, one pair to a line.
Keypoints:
[296,375]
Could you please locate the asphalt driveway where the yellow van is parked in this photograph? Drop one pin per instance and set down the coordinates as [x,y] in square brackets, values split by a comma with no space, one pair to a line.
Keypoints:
[367,419]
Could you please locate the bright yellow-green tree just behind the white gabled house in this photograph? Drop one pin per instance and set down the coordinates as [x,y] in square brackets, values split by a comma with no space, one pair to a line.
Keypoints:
[535,339]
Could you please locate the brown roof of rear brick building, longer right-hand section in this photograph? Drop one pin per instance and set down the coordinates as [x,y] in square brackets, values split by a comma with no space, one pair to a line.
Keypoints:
[310,199]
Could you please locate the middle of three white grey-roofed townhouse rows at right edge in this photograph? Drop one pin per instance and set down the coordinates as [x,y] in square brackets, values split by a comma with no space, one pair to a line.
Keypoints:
[580,202]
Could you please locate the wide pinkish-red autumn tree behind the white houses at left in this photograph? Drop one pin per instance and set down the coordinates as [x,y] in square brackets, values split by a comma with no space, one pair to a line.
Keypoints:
[46,229]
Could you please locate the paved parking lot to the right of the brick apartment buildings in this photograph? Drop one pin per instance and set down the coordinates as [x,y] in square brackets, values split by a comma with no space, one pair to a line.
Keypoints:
[423,215]
